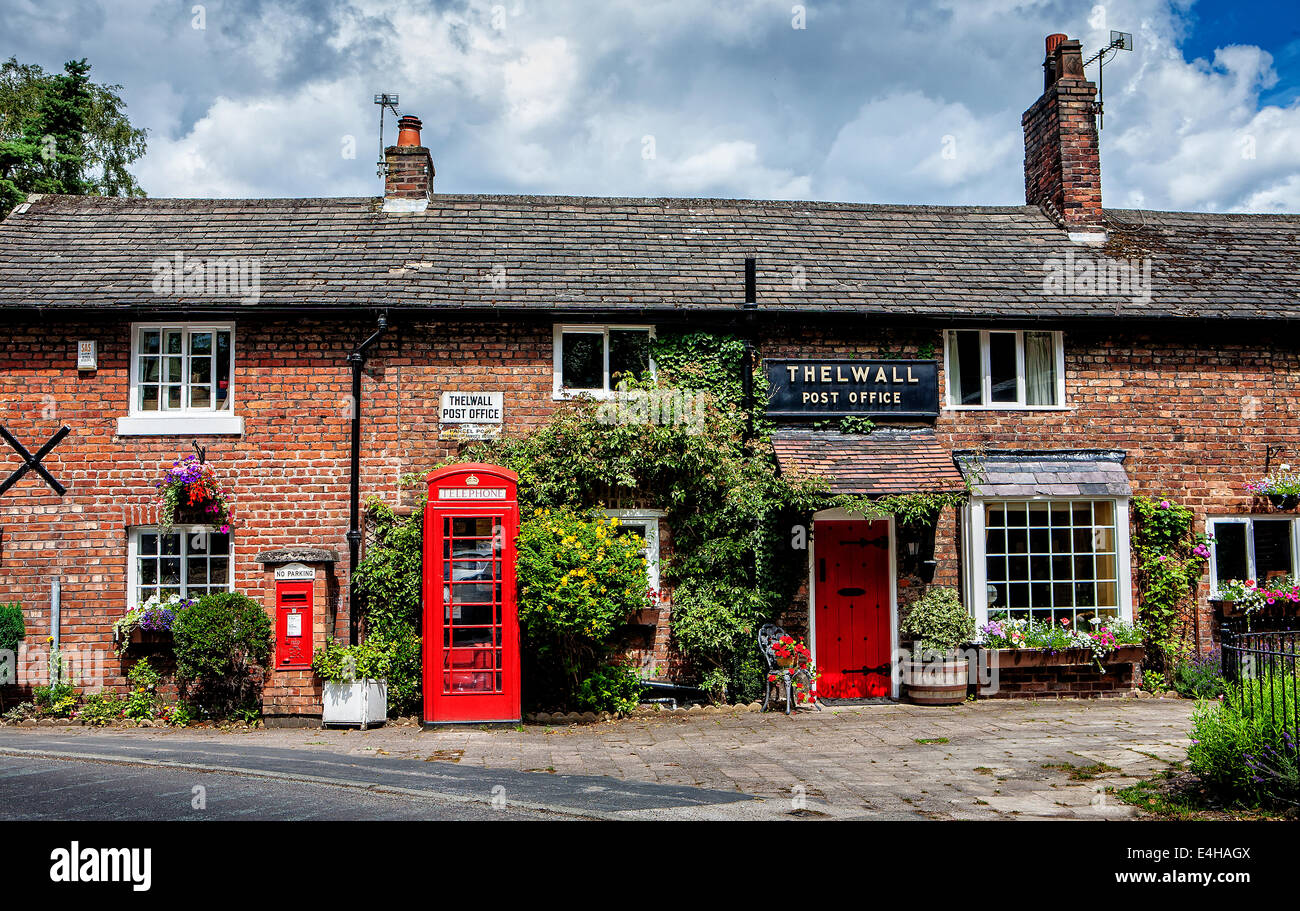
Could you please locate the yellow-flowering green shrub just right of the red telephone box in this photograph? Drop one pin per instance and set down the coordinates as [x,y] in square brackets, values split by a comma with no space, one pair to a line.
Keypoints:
[580,582]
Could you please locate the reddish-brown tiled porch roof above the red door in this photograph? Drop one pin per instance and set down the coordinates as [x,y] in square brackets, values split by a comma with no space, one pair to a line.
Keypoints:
[889,461]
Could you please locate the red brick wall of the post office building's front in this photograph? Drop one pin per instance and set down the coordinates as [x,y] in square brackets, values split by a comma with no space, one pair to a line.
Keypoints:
[1194,409]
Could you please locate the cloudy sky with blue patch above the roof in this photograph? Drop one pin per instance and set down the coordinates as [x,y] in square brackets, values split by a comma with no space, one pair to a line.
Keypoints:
[881,102]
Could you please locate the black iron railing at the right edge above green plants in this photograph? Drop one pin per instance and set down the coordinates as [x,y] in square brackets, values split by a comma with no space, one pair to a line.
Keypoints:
[1262,671]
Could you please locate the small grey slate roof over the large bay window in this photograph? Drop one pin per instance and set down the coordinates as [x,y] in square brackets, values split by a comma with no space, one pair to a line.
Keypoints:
[1046,474]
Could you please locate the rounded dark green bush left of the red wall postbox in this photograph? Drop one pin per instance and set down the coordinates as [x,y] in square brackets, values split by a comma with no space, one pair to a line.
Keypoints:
[223,645]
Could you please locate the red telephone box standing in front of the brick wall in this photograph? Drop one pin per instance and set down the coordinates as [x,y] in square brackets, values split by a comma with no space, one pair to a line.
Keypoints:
[471,623]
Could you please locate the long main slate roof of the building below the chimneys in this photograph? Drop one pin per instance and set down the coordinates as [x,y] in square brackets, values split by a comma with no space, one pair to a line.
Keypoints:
[588,255]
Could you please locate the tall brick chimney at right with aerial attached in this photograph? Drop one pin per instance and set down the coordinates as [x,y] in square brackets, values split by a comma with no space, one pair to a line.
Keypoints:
[1063,167]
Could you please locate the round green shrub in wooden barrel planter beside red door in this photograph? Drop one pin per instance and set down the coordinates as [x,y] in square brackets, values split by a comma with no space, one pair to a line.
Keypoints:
[938,624]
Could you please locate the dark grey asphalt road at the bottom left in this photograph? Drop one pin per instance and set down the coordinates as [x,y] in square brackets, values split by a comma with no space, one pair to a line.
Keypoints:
[119,776]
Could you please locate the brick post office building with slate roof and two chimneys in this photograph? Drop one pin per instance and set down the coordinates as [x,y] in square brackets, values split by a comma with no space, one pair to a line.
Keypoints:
[1081,355]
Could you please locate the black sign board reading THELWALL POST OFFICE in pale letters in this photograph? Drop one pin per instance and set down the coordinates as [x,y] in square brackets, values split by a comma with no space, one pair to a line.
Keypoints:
[852,388]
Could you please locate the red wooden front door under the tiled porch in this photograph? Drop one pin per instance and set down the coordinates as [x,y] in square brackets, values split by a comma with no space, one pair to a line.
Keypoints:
[852,595]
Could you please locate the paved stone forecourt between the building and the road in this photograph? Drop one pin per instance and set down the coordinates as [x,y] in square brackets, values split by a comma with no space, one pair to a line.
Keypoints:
[981,761]
